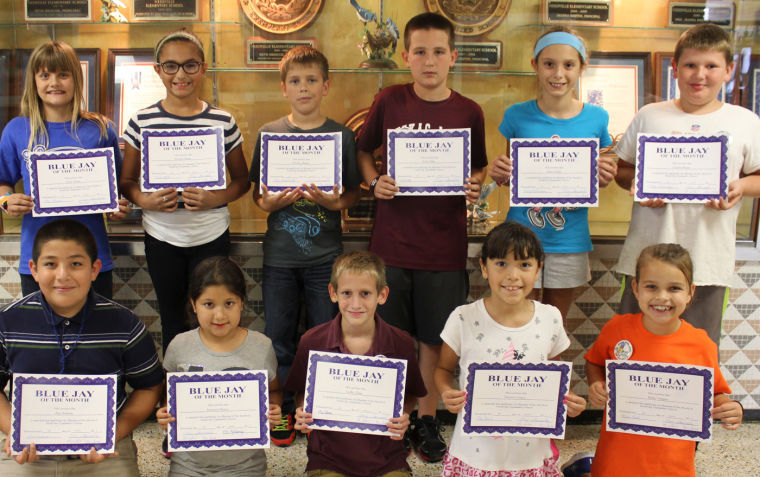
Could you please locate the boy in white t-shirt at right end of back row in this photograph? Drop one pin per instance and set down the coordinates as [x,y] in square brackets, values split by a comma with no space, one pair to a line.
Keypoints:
[702,62]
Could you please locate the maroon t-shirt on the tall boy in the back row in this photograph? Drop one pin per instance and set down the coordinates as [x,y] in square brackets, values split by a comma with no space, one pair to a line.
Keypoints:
[422,233]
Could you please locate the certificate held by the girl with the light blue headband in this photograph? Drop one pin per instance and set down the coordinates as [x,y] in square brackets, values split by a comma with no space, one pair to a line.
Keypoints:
[555,172]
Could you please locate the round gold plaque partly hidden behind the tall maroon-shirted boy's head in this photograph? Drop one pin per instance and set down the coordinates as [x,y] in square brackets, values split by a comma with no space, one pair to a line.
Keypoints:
[471,17]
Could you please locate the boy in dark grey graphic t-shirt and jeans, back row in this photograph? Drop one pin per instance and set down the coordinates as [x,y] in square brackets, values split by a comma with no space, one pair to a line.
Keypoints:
[304,223]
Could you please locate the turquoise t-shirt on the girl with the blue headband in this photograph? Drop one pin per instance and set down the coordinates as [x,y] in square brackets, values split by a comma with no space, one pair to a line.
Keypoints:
[564,230]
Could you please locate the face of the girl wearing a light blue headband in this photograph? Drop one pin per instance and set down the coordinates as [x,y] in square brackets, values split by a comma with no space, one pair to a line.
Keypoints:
[558,68]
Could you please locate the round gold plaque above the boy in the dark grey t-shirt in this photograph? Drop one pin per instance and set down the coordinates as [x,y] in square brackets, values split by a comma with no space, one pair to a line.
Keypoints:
[281,16]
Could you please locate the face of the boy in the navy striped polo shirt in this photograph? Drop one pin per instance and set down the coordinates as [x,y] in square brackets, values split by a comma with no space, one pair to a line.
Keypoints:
[64,273]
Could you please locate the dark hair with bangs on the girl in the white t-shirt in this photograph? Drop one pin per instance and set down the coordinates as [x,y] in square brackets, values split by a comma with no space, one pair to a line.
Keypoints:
[515,237]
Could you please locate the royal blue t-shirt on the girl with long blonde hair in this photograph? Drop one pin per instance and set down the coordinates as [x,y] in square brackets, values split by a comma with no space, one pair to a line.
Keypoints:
[14,157]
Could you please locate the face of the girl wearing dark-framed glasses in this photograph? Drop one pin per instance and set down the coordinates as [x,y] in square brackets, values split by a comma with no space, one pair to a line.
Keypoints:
[181,85]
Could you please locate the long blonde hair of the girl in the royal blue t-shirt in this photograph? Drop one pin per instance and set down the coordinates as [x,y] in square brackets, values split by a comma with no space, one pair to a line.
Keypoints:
[55,56]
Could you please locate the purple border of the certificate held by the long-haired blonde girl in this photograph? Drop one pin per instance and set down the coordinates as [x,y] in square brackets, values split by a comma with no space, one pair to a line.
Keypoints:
[111,206]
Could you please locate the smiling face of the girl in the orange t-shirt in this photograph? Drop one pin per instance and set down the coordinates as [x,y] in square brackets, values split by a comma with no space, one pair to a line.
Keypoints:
[663,293]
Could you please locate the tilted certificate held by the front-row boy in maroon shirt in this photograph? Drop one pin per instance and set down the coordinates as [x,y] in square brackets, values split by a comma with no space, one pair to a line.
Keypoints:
[350,393]
